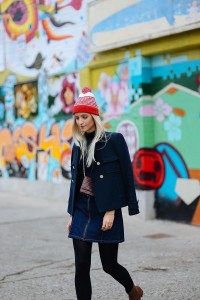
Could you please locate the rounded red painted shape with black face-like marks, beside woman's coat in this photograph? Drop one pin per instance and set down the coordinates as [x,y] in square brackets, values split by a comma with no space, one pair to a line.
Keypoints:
[148,169]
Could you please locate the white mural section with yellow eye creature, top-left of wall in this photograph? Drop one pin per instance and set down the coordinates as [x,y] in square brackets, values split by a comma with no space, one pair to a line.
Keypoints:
[43,35]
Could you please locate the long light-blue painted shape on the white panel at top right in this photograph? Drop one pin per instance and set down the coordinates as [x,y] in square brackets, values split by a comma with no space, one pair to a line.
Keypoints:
[145,11]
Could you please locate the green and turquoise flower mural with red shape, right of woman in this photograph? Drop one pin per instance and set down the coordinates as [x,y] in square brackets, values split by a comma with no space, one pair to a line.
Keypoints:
[155,103]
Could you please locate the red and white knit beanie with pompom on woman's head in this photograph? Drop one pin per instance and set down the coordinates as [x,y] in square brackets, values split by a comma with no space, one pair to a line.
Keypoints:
[86,103]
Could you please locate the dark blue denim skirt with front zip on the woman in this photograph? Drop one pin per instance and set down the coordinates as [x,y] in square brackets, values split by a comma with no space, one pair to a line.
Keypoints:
[87,222]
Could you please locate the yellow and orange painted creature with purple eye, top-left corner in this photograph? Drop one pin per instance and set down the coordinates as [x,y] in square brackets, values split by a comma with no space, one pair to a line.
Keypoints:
[21,17]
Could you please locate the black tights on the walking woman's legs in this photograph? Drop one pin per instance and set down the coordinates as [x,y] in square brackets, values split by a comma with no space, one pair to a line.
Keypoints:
[108,254]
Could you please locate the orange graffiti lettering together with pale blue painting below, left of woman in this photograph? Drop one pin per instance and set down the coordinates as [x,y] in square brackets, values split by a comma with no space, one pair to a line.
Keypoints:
[36,153]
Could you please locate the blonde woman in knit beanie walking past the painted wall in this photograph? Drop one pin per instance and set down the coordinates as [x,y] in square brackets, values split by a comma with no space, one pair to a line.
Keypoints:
[101,184]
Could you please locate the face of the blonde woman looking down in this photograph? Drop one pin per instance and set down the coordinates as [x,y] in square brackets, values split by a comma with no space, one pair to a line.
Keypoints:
[85,122]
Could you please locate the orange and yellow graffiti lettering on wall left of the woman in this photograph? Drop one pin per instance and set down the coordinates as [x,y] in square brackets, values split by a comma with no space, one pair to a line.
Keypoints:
[25,141]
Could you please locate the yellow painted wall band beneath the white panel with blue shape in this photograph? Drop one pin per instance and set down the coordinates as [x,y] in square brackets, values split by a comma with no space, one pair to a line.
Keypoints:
[183,44]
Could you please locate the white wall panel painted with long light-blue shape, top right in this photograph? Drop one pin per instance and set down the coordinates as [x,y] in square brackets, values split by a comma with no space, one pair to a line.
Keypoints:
[135,21]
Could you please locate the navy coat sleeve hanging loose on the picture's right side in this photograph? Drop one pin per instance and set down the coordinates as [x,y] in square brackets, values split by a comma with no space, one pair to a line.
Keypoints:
[127,173]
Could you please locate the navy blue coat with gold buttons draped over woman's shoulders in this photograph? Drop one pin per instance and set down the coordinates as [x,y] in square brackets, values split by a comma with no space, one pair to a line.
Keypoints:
[112,176]
